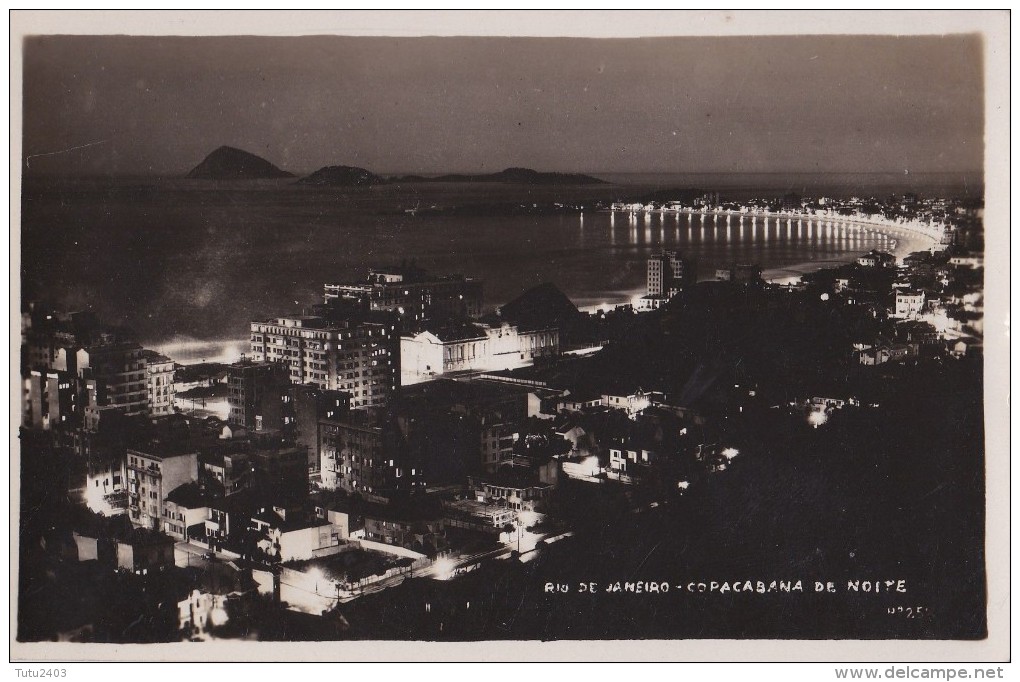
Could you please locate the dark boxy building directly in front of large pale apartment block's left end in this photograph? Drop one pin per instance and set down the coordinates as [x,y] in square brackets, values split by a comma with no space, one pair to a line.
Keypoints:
[258,393]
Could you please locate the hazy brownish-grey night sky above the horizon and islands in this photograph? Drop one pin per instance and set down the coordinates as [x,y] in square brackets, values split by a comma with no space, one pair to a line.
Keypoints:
[151,106]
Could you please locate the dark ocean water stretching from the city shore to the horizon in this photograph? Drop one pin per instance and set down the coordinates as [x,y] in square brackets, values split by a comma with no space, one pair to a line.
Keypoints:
[188,265]
